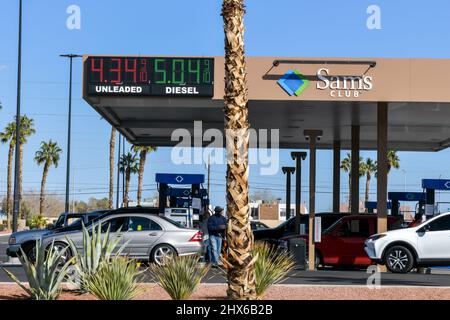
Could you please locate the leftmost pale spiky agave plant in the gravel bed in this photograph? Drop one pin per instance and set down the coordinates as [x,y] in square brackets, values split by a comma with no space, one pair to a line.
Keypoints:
[45,275]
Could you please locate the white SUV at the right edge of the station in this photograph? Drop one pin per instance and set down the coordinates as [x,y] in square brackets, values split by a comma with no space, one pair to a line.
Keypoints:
[427,244]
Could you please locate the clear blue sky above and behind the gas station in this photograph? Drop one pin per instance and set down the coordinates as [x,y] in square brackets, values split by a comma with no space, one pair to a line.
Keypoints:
[273,28]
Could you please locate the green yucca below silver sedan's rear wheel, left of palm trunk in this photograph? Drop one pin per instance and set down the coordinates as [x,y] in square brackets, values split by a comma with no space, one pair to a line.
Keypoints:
[179,276]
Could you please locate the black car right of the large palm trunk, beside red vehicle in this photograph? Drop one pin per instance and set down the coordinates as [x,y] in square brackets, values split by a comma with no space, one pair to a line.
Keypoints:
[287,228]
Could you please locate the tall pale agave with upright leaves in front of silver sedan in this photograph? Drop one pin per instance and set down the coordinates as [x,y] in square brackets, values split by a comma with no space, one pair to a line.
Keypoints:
[97,249]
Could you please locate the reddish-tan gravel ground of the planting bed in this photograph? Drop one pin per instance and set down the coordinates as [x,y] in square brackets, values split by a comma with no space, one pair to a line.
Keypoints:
[278,292]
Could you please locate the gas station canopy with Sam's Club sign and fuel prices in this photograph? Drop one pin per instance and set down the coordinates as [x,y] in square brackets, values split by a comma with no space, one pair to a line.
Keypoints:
[146,98]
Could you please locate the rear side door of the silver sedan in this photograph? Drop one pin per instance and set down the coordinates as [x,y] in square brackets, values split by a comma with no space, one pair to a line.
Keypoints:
[141,236]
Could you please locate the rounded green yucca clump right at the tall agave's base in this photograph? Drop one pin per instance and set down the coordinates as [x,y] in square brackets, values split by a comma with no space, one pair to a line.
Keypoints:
[116,279]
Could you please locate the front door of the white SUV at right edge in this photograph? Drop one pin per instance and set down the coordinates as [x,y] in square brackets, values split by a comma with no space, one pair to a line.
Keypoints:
[434,239]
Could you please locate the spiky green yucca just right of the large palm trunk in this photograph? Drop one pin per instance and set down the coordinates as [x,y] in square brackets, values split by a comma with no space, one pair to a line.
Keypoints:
[271,266]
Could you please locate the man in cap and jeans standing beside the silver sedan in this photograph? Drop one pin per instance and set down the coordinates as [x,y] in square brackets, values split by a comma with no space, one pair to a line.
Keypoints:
[216,229]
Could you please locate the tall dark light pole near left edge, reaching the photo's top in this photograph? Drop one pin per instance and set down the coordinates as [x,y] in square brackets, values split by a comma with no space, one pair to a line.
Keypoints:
[16,205]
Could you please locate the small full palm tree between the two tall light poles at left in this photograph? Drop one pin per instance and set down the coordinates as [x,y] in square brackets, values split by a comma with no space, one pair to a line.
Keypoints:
[48,155]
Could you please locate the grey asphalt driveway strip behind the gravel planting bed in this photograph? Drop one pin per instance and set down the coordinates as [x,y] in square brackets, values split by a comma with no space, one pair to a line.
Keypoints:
[323,277]
